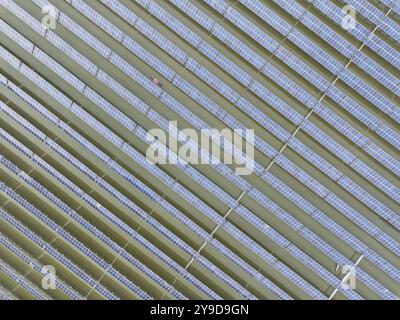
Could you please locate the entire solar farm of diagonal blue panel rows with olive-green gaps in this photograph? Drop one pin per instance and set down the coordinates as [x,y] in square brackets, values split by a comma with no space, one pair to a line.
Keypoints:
[77,192]
